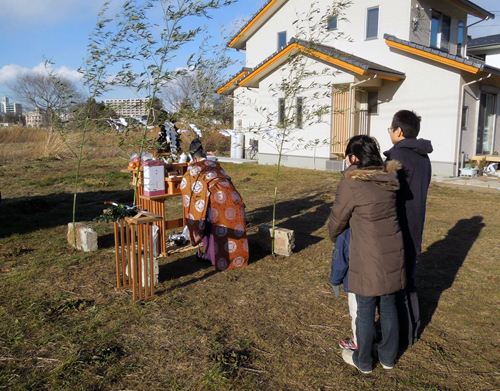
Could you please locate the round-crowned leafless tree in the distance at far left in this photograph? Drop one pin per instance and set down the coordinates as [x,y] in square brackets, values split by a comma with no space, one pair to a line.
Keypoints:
[50,93]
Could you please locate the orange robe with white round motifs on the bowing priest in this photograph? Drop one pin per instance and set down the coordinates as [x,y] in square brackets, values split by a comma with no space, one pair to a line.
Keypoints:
[213,209]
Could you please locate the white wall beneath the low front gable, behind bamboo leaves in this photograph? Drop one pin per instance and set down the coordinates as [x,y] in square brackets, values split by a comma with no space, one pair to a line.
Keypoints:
[313,128]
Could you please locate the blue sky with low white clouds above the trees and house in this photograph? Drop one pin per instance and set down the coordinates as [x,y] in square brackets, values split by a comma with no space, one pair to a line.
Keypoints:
[31,30]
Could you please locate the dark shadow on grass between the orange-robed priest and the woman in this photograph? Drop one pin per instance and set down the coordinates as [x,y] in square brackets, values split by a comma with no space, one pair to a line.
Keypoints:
[297,218]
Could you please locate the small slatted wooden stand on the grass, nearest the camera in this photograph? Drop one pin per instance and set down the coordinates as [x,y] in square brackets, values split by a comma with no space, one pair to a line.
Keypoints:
[134,247]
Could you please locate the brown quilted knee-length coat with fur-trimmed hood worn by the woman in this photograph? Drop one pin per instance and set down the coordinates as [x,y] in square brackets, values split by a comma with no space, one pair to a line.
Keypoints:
[366,201]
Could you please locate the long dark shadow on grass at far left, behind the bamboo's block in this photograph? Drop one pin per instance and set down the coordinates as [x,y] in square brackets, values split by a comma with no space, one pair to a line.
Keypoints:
[27,214]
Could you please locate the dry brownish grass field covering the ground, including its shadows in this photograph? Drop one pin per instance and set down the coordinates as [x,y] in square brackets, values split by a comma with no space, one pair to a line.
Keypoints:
[273,325]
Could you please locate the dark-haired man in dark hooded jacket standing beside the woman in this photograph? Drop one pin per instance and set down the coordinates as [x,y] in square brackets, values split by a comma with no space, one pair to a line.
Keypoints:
[414,179]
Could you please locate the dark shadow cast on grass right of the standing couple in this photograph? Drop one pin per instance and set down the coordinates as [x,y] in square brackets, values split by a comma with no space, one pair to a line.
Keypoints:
[439,264]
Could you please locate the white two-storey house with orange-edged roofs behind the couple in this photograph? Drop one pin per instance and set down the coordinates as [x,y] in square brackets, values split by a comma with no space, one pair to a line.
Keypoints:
[402,54]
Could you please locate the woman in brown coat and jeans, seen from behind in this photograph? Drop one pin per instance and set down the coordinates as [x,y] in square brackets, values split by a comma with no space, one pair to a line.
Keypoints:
[366,201]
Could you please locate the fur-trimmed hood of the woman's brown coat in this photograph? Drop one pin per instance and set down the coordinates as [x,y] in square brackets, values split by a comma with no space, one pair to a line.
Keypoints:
[383,176]
